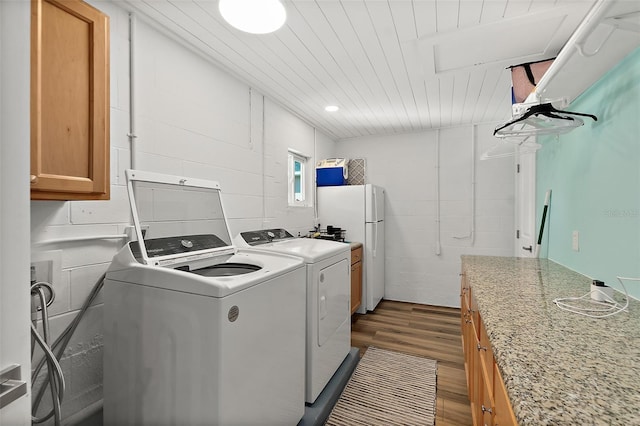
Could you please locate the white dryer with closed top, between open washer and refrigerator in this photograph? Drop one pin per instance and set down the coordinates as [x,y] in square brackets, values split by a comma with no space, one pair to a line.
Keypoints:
[328,299]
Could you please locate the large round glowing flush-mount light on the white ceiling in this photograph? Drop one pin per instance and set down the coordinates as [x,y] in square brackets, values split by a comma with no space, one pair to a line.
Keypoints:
[253,16]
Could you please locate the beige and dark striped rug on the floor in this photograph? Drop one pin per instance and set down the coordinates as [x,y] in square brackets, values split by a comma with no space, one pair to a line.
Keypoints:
[388,388]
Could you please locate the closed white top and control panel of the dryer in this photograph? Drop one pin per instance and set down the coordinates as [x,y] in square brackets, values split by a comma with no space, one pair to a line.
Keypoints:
[278,240]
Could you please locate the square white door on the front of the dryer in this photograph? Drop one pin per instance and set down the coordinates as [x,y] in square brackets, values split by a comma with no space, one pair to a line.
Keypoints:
[333,298]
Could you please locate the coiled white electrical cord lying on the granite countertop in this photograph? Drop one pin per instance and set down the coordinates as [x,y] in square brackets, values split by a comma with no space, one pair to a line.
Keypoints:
[586,306]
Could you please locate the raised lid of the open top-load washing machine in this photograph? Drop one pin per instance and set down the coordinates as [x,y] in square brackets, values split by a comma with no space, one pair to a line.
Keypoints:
[177,218]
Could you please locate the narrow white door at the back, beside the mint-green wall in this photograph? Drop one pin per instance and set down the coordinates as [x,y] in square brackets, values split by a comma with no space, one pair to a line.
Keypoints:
[525,243]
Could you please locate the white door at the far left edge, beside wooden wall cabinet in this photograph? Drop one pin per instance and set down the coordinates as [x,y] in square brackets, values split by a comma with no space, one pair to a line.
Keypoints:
[14,202]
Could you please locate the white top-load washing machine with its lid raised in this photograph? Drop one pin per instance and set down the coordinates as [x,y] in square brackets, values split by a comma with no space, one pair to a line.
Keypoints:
[197,331]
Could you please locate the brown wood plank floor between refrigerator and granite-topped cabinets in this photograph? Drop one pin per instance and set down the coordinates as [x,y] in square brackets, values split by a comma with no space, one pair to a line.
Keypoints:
[422,330]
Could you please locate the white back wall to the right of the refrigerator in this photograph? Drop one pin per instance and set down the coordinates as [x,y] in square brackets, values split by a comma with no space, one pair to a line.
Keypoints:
[405,165]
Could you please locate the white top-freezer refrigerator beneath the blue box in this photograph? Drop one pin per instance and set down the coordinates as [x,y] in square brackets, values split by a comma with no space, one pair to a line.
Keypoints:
[359,209]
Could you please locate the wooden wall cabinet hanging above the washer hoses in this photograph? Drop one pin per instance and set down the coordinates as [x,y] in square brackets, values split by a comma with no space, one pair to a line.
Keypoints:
[69,101]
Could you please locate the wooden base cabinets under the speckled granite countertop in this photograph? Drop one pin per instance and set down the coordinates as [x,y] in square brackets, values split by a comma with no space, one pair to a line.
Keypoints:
[487,394]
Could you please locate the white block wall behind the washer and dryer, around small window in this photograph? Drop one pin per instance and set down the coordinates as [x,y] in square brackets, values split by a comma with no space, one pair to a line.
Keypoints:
[194,120]
